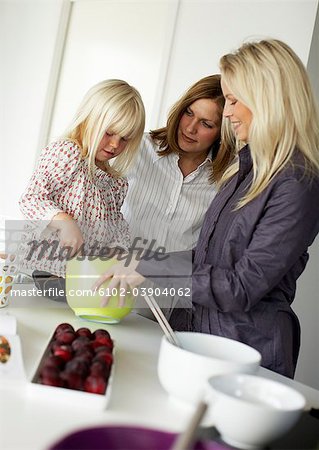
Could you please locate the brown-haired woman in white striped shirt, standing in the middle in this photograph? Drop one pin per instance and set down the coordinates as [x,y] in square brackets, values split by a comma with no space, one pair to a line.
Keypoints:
[171,183]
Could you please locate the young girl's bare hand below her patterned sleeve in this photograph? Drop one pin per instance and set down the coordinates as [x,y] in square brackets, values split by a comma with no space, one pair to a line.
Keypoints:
[69,232]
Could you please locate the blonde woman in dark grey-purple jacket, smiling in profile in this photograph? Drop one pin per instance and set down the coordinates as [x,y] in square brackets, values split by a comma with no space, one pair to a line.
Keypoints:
[256,233]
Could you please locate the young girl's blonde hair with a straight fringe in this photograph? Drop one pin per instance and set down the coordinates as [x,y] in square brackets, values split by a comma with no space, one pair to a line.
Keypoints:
[109,105]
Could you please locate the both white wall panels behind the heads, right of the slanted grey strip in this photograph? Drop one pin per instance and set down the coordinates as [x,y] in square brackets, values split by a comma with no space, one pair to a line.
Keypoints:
[162,60]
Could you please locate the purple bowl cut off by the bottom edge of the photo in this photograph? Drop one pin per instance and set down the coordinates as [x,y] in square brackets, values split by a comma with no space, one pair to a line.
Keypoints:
[124,438]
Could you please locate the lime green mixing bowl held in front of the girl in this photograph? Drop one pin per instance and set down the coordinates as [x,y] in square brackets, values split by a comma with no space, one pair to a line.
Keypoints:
[81,274]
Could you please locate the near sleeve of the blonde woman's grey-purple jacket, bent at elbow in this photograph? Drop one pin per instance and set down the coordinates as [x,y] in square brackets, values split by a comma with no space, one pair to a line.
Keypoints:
[288,225]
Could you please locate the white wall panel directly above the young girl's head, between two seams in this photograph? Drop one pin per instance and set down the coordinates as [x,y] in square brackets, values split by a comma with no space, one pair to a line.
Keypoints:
[114,39]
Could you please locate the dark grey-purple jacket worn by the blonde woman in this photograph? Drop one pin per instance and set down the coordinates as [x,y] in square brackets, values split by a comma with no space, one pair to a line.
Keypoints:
[247,261]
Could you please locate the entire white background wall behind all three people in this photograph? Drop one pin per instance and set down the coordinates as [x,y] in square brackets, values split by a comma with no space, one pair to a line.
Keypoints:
[159,46]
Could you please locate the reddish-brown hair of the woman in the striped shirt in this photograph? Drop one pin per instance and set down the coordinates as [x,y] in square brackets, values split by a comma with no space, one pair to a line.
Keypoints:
[205,88]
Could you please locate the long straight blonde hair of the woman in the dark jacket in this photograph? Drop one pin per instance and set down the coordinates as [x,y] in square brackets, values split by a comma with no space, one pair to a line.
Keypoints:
[272,82]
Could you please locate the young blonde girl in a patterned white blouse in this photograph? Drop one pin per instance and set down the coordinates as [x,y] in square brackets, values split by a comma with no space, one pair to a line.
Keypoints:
[74,197]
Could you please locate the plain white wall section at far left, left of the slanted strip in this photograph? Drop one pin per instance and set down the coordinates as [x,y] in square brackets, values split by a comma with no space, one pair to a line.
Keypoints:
[28,33]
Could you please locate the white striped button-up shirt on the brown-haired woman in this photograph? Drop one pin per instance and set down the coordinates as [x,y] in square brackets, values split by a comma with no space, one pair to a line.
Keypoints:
[163,205]
